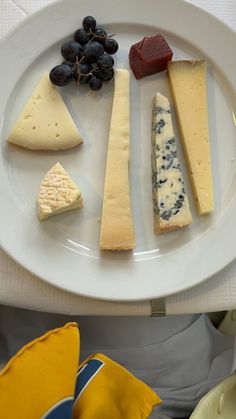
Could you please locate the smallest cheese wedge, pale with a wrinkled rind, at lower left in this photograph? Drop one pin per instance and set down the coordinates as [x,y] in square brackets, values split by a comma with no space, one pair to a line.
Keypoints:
[58,193]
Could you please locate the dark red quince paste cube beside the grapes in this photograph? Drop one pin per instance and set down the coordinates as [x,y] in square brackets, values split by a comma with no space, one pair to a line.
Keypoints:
[149,56]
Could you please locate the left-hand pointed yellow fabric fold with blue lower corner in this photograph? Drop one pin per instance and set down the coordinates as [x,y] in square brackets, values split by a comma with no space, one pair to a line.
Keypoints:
[39,381]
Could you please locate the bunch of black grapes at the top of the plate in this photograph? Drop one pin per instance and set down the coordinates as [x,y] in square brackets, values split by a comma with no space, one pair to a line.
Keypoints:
[87,58]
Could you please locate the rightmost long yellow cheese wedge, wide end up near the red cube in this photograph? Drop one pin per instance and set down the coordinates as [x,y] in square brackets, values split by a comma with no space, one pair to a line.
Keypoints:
[189,89]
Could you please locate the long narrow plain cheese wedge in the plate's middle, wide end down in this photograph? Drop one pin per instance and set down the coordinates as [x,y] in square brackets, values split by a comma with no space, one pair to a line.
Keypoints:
[117,230]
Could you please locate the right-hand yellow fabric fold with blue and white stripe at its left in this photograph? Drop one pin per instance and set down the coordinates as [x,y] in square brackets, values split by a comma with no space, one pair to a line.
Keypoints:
[105,390]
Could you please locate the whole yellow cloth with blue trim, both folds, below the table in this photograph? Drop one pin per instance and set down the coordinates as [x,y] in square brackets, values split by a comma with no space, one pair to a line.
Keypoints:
[42,381]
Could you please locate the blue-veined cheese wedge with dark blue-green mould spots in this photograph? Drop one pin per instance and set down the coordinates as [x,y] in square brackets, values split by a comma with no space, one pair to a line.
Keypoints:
[170,201]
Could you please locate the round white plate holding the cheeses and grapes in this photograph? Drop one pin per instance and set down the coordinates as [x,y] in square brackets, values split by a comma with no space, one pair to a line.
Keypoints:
[64,250]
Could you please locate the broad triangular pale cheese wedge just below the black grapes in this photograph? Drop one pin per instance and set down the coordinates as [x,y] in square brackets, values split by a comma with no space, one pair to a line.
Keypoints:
[45,122]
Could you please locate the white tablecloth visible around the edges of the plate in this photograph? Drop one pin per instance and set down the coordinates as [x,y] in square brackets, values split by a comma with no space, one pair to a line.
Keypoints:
[19,288]
